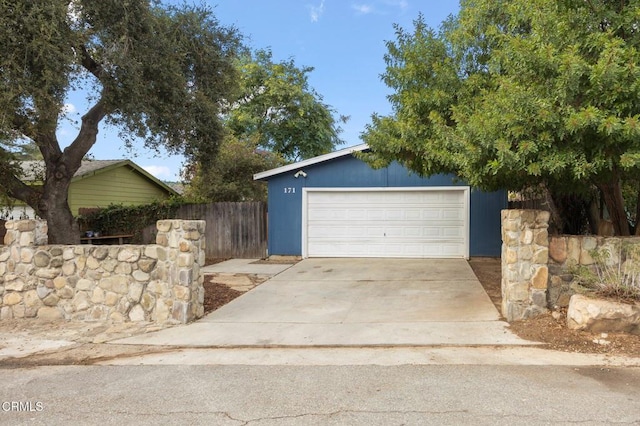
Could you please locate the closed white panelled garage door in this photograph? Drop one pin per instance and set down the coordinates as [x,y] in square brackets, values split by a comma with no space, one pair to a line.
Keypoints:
[408,222]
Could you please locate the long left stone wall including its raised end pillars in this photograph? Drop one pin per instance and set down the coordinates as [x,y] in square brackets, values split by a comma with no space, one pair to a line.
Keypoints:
[159,283]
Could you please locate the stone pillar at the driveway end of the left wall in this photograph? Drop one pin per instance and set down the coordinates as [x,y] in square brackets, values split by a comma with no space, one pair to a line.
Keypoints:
[185,244]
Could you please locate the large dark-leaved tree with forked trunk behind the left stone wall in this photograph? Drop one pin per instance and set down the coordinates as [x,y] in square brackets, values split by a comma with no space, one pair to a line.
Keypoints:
[158,73]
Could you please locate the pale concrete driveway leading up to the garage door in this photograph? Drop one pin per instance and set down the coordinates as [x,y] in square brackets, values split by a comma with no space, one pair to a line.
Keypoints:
[351,302]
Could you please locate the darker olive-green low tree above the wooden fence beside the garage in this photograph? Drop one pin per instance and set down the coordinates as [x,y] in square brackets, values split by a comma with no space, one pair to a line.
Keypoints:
[229,177]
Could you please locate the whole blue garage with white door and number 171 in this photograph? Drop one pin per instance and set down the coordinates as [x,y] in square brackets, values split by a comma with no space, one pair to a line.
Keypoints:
[336,205]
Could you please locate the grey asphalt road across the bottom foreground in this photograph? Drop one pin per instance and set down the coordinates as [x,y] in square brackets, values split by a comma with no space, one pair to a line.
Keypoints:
[317,395]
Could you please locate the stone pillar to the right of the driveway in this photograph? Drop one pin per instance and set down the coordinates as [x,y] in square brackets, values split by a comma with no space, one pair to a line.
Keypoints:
[525,255]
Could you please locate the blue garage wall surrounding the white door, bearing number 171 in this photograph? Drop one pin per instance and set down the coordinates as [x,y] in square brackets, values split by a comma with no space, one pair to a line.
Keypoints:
[285,201]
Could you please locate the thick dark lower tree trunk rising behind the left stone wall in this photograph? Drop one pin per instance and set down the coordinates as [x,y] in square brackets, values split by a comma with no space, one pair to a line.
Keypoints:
[54,206]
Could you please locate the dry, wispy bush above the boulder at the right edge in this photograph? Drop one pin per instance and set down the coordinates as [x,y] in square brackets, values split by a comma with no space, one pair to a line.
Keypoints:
[615,273]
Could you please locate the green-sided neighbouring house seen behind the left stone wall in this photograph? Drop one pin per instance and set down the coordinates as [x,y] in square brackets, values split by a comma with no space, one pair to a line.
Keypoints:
[98,183]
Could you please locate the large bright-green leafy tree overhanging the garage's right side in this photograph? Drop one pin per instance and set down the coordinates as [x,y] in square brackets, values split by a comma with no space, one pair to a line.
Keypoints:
[520,93]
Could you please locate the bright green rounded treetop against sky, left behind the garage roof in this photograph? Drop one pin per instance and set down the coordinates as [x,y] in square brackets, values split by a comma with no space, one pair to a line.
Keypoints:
[276,103]
